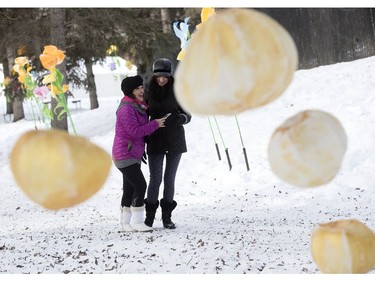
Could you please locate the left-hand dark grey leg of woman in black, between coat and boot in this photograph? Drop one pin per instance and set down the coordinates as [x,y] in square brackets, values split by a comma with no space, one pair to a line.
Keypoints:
[155,164]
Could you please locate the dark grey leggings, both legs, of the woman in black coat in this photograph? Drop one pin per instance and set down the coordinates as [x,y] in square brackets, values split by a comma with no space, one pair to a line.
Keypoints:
[155,164]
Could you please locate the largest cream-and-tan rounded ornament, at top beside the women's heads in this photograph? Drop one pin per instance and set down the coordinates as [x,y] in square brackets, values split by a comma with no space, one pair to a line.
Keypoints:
[238,59]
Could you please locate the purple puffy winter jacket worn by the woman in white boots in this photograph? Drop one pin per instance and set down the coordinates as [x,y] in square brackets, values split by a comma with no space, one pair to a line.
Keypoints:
[131,128]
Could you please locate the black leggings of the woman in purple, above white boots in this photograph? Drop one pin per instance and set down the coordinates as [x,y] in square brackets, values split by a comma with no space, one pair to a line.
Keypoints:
[134,186]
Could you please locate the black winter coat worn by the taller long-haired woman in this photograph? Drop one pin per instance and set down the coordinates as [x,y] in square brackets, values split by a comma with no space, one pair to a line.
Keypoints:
[162,100]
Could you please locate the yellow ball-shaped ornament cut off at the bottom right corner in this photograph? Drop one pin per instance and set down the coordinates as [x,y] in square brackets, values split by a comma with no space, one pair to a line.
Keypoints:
[344,246]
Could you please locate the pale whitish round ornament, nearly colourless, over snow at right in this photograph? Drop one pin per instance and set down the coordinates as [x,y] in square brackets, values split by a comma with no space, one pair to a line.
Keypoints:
[307,149]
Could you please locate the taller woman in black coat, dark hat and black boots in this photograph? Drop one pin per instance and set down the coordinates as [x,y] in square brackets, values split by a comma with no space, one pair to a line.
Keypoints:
[166,143]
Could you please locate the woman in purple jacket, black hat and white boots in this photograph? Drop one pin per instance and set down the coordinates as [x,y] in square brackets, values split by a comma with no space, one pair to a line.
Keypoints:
[132,125]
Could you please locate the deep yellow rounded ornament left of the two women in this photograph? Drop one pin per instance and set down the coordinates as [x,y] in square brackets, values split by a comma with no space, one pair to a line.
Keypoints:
[57,170]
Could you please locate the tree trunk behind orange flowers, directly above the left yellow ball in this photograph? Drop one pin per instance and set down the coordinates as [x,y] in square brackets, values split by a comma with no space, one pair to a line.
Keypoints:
[58,39]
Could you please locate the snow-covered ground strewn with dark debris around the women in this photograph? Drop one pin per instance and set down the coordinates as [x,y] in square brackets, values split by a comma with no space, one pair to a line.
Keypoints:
[229,222]
